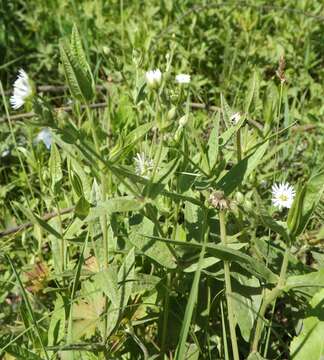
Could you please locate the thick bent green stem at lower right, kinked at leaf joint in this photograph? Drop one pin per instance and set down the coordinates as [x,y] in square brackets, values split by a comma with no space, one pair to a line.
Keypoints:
[269,298]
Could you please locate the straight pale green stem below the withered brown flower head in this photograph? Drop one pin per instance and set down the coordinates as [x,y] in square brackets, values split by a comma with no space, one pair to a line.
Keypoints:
[228,288]
